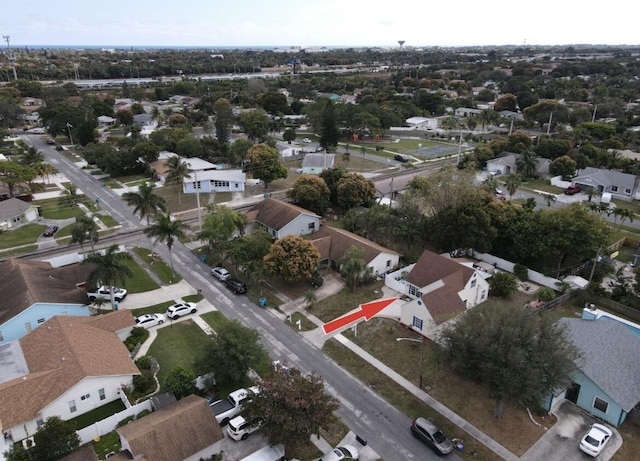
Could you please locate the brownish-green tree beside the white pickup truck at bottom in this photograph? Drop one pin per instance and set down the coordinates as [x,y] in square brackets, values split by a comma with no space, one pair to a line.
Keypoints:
[291,407]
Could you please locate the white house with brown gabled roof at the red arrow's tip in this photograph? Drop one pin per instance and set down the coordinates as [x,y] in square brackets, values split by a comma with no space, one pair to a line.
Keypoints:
[439,288]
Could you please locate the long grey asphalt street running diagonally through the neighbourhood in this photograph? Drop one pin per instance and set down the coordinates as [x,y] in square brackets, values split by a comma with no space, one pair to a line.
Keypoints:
[365,413]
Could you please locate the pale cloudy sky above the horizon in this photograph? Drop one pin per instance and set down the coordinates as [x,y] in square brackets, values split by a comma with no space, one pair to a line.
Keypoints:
[315,23]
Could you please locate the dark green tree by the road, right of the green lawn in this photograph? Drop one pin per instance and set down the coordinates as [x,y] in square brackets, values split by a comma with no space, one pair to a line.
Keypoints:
[232,351]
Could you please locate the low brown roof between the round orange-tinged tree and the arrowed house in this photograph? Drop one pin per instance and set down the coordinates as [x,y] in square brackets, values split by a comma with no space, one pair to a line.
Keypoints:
[332,243]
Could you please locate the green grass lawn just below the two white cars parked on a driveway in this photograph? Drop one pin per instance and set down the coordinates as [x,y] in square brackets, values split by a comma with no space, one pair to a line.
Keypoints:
[178,344]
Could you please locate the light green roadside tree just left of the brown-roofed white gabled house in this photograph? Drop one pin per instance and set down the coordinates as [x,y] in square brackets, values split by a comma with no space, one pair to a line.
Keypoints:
[219,227]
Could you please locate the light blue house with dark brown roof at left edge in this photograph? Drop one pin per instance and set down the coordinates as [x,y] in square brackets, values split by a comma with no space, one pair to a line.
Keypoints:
[32,292]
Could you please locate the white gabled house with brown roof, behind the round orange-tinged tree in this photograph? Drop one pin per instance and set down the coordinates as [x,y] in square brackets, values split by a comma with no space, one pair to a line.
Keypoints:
[280,219]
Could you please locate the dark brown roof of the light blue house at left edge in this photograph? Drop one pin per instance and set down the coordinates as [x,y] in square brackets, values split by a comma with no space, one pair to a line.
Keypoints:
[25,282]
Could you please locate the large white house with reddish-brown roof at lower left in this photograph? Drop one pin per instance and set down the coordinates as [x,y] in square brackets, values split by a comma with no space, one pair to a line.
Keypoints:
[67,367]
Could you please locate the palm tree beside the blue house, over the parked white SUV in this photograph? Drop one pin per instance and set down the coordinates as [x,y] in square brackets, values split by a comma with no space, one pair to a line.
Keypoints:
[109,268]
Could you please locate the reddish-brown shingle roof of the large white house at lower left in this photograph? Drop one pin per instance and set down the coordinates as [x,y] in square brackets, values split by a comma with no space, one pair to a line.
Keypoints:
[59,354]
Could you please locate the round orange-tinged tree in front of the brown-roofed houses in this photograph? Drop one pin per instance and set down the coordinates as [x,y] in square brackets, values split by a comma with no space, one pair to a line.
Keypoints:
[293,258]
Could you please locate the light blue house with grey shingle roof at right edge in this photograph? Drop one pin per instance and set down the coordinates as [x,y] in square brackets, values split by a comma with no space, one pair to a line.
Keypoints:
[606,382]
